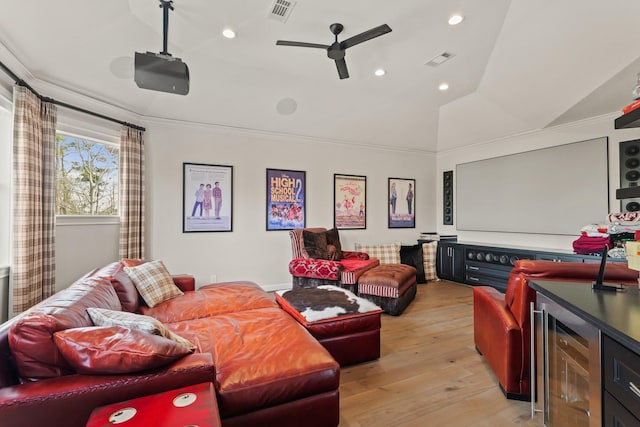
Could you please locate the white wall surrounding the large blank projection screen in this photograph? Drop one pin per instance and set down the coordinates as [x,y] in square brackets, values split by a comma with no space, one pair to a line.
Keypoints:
[573,132]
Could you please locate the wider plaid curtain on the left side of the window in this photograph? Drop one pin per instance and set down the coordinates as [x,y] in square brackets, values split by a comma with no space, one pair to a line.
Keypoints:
[33,214]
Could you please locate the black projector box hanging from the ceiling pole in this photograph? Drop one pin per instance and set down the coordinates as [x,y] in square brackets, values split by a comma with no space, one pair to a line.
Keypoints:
[163,73]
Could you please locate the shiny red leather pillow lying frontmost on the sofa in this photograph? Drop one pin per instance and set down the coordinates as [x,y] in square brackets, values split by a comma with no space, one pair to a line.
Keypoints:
[115,350]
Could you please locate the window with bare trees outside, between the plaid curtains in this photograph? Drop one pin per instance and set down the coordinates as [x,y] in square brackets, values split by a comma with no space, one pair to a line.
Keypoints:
[86,176]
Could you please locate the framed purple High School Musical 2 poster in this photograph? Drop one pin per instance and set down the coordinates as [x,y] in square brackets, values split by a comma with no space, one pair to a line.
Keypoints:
[286,196]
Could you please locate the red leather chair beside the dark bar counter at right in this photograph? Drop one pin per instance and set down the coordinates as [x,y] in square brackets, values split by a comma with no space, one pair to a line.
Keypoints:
[501,322]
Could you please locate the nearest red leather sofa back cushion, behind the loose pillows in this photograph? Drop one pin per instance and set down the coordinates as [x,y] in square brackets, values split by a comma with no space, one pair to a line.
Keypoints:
[31,337]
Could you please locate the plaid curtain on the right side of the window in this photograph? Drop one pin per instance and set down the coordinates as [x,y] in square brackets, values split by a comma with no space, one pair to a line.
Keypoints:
[131,193]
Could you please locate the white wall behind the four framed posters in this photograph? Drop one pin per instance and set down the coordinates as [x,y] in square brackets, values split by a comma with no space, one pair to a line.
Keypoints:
[250,252]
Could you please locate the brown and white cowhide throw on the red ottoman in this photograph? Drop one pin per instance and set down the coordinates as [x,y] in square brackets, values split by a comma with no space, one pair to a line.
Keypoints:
[326,302]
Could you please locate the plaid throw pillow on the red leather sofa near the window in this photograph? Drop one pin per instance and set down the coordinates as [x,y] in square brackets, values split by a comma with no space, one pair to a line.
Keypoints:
[153,282]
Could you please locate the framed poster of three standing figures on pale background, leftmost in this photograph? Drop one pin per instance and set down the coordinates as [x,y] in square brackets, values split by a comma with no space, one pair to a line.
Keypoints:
[207,198]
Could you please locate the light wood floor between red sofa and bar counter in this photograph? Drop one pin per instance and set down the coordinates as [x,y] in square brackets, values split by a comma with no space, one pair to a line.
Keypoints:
[429,373]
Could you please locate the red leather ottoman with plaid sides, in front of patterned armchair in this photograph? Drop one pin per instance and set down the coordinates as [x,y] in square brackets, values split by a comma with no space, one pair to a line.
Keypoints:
[391,286]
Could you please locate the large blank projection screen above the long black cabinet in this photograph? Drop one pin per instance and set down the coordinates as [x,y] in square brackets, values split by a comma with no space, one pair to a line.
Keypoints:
[555,190]
